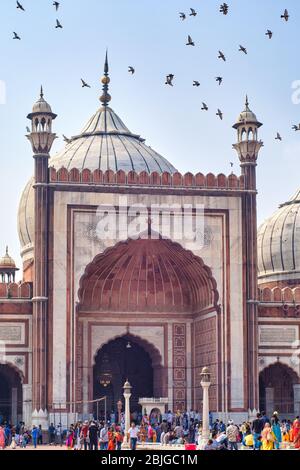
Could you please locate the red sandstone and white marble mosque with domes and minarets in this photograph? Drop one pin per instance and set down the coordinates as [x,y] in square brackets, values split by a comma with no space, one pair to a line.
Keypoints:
[110,291]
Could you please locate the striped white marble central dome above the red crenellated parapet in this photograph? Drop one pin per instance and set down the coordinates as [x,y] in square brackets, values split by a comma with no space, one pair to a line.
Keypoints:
[105,143]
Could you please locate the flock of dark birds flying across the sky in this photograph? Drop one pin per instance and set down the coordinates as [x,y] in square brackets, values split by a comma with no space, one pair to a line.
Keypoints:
[224,9]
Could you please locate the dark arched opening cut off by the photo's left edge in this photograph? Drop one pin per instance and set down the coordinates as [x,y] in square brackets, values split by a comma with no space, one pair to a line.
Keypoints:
[10,395]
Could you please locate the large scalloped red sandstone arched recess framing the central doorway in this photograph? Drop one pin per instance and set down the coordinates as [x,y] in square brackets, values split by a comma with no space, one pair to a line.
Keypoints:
[157,290]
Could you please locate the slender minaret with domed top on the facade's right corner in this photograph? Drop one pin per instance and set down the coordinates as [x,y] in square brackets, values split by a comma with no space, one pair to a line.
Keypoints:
[248,147]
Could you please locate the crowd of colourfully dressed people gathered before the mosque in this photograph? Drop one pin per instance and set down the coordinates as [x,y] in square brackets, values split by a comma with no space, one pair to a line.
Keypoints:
[180,428]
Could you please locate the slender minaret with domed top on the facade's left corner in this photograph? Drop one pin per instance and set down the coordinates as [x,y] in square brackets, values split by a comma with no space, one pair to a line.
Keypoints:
[41,139]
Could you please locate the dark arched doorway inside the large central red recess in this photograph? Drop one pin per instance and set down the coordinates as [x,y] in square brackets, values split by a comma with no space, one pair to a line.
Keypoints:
[121,359]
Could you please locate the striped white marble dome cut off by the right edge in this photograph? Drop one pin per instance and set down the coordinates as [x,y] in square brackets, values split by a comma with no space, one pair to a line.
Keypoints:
[279,244]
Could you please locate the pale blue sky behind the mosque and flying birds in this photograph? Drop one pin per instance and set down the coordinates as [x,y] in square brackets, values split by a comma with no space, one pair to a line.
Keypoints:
[149,35]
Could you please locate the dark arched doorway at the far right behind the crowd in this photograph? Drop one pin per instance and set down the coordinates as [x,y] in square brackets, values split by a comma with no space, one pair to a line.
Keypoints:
[276,389]
